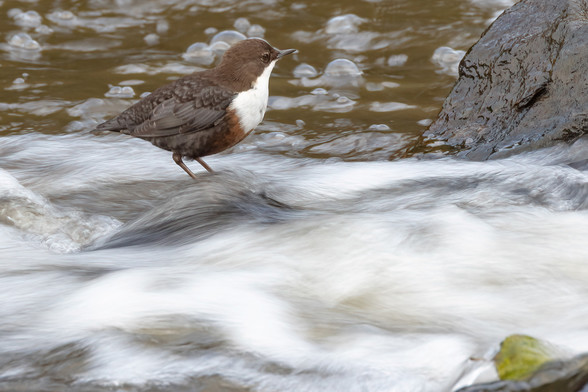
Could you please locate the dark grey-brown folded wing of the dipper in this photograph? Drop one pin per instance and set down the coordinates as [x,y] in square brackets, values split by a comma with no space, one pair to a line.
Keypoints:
[174,116]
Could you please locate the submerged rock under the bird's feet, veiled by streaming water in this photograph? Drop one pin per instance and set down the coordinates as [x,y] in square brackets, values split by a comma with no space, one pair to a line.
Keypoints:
[225,200]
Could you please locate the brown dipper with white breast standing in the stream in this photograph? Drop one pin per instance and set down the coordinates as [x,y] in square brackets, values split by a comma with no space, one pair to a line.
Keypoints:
[205,112]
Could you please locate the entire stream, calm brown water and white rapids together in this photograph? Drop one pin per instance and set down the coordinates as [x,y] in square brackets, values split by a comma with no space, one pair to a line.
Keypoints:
[318,257]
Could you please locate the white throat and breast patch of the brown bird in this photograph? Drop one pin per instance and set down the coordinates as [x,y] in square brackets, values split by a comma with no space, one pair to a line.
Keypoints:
[250,105]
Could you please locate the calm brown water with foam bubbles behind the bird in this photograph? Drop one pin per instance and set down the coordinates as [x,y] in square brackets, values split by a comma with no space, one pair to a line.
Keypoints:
[81,58]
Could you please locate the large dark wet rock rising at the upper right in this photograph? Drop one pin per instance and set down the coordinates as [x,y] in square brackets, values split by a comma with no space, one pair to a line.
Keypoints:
[524,85]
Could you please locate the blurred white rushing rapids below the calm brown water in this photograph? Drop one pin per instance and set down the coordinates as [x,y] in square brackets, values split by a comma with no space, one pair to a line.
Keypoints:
[277,274]
